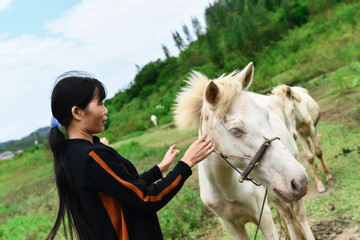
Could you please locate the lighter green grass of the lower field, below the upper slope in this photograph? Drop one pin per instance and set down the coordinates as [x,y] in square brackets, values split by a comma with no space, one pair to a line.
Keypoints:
[28,202]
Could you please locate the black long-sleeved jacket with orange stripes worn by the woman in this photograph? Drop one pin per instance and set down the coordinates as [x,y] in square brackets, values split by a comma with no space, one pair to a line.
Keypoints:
[119,203]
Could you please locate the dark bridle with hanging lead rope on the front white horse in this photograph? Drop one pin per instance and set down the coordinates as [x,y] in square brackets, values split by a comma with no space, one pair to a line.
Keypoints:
[255,162]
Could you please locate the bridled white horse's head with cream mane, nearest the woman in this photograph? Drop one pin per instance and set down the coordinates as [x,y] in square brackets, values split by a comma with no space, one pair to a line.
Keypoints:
[237,126]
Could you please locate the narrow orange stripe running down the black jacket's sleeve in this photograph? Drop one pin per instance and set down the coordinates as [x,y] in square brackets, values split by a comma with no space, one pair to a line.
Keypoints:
[132,186]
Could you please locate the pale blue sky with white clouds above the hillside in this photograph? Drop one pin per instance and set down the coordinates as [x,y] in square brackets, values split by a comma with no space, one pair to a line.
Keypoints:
[41,39]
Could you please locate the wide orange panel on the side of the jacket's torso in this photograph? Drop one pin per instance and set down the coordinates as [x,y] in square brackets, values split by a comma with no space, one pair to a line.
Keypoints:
[114,210]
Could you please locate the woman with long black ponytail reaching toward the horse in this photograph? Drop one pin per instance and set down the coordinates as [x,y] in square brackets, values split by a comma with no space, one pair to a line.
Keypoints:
[100,192]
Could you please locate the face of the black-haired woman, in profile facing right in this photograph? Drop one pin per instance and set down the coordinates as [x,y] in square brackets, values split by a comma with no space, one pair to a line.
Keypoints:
[95,115]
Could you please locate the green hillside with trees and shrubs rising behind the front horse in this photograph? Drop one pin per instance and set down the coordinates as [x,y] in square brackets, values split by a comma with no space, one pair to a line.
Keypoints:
[292,54]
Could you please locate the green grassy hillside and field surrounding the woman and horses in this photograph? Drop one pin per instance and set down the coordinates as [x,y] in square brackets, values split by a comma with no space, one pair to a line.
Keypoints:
[321,54]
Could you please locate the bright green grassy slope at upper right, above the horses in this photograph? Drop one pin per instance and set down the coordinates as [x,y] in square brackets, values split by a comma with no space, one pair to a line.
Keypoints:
[324,44]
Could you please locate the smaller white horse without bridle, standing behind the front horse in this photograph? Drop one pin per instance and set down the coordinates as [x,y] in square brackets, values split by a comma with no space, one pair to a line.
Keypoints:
[304,114]
